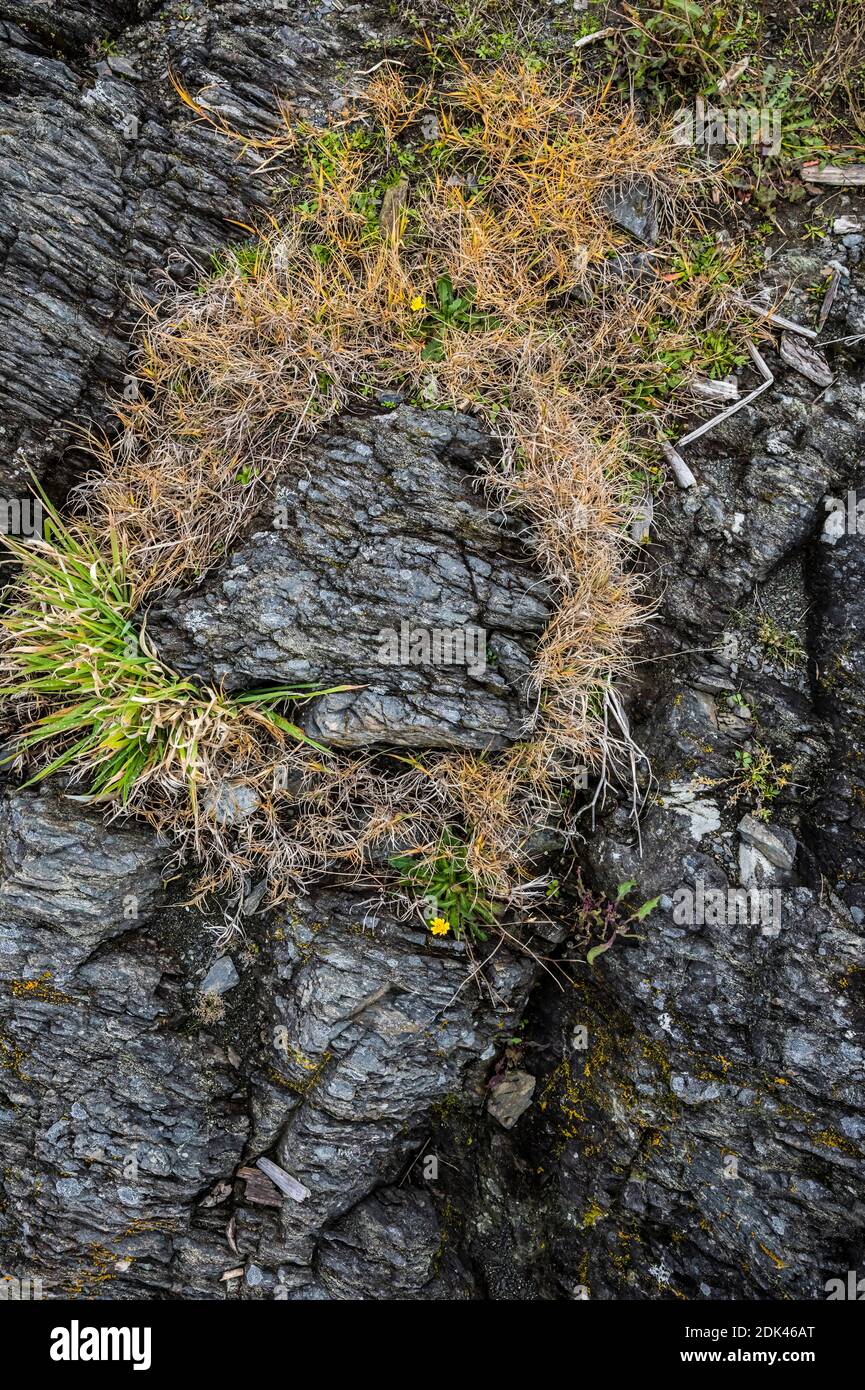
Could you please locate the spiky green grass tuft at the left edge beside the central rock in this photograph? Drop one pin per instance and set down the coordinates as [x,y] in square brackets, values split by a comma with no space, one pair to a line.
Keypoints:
[95,693]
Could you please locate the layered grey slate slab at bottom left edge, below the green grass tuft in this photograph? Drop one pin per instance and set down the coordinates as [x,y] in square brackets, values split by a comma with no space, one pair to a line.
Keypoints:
[113,1120]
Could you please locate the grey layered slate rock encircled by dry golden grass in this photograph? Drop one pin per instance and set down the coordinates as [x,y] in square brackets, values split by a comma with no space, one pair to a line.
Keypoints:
[376,564]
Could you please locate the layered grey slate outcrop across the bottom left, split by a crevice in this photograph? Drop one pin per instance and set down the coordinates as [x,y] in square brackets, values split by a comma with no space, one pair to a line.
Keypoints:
[131,1128]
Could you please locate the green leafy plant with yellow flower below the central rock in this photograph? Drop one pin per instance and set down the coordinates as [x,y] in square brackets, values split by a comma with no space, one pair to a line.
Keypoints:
[444,882]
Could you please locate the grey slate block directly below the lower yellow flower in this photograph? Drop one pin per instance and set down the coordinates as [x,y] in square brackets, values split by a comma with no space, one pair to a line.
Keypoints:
[372,1028]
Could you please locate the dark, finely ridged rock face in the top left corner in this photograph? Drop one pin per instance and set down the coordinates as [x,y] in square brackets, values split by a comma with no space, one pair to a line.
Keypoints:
[156,181]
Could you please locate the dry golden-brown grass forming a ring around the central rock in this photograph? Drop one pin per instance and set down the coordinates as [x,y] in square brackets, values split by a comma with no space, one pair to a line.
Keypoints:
[479,275]
